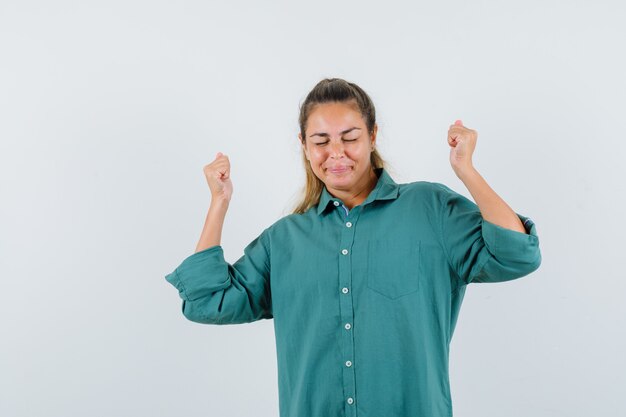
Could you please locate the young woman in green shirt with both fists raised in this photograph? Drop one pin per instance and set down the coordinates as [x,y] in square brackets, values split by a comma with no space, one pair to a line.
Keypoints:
[365,279]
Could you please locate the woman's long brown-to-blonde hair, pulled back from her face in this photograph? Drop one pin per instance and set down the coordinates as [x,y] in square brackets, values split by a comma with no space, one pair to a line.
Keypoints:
[325,91]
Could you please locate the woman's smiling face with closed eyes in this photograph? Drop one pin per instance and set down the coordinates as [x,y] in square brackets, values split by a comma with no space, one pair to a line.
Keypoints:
[338,146]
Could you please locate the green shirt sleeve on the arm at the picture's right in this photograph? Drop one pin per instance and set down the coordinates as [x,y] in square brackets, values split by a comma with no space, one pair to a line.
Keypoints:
[481,251]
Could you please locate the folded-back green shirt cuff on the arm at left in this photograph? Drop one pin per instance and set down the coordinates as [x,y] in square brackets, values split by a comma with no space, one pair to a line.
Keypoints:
[200,274]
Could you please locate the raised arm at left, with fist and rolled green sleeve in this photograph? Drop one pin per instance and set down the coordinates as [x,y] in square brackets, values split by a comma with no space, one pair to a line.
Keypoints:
[214,291]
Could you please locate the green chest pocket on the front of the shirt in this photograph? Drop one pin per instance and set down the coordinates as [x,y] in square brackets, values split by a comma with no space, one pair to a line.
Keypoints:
[393,267]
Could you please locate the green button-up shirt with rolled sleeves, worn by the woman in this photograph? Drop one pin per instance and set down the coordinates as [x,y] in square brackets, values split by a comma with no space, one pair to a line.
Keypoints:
[364,301]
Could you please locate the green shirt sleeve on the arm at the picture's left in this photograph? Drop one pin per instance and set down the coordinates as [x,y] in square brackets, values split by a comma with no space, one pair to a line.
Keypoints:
[216,292]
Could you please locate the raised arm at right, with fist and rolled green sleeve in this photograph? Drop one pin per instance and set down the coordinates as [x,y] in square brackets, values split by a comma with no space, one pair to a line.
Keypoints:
[484,241]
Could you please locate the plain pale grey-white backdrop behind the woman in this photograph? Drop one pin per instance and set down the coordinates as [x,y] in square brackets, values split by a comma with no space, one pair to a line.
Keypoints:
[109,111]
